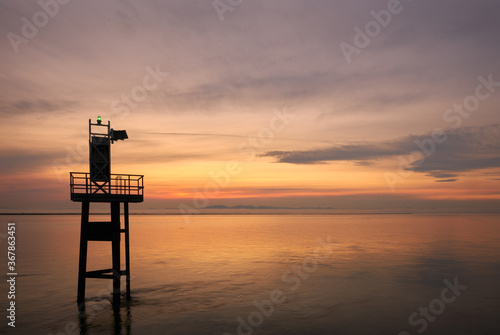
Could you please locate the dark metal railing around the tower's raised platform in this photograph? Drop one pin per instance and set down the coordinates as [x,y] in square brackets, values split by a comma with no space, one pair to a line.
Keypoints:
[118,184]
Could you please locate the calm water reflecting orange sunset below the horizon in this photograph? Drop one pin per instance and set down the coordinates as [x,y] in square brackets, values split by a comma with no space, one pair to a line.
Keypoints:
[266,274]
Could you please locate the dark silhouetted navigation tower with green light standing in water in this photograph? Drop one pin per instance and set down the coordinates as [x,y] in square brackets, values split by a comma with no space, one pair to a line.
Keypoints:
[99,185]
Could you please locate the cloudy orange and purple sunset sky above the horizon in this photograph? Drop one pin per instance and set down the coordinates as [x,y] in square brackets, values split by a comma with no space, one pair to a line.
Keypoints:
[343,104]
